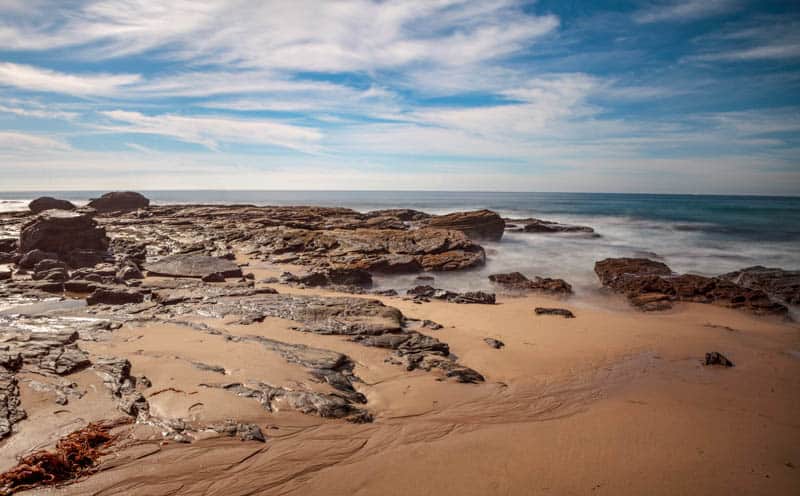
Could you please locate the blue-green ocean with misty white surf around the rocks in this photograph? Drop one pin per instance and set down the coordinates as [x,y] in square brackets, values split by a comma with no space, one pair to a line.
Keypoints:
[700,234]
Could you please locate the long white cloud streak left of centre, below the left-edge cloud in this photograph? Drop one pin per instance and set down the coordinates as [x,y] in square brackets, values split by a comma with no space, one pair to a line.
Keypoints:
[211,131]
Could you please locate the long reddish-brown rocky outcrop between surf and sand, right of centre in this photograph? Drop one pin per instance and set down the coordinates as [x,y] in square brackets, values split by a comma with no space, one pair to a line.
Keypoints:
[652,285]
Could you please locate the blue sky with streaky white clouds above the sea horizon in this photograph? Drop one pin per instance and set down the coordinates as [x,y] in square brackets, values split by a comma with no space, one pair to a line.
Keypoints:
[672,96]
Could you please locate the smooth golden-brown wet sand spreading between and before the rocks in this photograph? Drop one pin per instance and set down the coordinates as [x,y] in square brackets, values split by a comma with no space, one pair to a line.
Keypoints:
[614,401]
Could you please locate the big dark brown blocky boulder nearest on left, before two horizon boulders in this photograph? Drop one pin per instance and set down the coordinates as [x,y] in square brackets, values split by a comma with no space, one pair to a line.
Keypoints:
[62,232]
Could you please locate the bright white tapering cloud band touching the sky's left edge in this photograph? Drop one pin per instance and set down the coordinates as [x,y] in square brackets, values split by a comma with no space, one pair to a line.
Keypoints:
[32,78]
